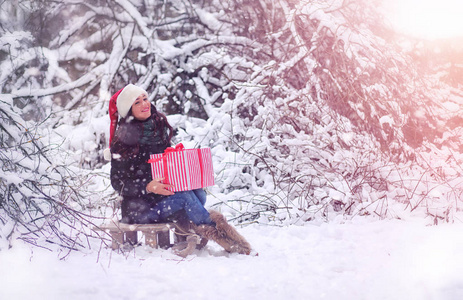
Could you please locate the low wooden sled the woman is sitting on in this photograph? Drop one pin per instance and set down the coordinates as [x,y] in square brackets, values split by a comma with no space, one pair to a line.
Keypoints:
[155,234]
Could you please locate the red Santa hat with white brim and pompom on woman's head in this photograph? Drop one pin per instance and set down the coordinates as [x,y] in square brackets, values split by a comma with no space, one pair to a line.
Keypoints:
[119,105]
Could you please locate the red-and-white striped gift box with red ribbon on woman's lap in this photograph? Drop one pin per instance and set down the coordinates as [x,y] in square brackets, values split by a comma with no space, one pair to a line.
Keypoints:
[184,169]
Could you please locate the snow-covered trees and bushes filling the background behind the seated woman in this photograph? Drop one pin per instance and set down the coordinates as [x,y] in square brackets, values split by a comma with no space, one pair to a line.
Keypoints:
[314,110]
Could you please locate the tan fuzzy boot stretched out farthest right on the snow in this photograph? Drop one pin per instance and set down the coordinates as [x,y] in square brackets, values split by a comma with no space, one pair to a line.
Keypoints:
[224,234]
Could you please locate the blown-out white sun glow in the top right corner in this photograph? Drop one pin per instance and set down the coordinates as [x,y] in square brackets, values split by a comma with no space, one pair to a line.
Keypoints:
[429,19]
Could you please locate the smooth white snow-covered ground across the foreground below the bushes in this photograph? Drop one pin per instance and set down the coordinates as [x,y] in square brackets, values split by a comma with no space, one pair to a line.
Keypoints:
[360,259]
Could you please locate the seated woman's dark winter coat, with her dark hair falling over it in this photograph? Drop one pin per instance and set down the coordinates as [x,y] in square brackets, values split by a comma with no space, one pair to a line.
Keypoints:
[133,143]
